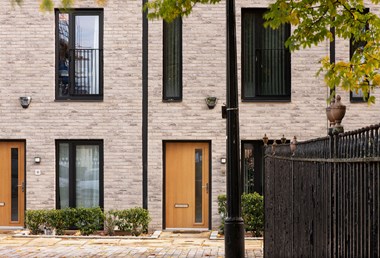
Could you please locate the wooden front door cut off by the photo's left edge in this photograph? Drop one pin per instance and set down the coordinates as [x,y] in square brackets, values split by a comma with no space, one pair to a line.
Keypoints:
[12,184]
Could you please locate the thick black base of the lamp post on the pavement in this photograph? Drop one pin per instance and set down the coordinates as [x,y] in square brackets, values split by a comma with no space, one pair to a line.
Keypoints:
[234,238]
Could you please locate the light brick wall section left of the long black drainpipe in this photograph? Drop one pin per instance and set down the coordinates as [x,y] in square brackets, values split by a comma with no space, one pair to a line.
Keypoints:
[27,61]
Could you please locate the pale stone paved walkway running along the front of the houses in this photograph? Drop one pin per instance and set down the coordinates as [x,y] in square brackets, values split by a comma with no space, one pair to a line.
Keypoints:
[167,245]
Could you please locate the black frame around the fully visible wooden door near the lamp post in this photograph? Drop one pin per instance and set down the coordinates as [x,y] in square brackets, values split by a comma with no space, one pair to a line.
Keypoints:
[164,142]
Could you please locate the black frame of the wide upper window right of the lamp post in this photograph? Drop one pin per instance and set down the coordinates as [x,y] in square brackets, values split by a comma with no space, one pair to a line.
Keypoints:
[264,98]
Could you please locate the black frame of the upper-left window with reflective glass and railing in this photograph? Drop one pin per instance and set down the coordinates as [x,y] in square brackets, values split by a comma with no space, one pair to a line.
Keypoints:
[72,13]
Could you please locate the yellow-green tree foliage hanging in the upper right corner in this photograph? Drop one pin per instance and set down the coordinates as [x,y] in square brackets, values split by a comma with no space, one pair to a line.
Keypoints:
[313,20]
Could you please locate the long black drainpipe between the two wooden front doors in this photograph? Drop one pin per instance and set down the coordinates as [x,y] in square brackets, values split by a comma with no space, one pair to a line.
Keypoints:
[145,106]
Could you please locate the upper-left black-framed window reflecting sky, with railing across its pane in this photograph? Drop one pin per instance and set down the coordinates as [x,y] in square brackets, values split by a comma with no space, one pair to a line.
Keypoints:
[79,54]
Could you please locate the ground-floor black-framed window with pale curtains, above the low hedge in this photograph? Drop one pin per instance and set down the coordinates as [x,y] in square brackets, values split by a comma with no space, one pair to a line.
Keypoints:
[79,173]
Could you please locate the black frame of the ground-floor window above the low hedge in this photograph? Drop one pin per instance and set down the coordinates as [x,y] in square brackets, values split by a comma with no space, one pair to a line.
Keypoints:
[72,170]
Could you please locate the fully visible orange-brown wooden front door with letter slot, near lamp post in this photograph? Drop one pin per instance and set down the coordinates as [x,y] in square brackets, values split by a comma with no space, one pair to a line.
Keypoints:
[187,185]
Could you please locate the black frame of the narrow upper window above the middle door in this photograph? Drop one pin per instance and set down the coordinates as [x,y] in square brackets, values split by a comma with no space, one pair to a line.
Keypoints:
[179,69]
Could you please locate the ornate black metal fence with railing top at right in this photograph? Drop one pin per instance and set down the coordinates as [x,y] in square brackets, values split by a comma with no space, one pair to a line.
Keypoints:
[323,201]
